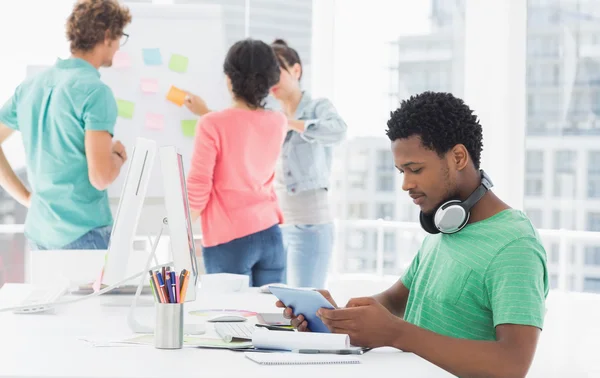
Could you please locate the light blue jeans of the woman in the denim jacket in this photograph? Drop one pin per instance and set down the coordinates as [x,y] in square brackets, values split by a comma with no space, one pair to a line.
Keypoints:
[309,248]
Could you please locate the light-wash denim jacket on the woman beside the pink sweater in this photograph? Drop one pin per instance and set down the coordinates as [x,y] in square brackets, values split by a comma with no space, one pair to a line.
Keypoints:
[307,156]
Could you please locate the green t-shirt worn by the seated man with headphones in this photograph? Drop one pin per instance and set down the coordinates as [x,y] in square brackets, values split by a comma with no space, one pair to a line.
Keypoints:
[492,272]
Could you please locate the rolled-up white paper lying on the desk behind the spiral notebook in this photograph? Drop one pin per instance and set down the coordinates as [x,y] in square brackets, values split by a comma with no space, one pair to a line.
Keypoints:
[281,340]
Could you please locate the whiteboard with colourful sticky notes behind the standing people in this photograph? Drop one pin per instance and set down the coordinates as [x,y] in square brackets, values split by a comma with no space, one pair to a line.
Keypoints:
[195,32]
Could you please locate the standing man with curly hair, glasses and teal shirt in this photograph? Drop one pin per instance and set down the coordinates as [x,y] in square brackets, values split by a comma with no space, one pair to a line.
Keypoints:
[66,116]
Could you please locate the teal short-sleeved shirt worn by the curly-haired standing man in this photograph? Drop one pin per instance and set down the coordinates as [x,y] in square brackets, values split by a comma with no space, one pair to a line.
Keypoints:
[53,110]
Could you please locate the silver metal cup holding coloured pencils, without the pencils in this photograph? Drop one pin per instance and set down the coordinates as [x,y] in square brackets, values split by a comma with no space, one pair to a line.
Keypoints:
[168,333]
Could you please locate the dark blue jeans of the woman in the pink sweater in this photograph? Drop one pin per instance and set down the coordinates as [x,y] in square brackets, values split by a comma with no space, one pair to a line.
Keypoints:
[260,256]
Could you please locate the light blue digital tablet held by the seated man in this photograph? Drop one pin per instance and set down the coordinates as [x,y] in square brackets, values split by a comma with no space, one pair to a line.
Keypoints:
[304,302]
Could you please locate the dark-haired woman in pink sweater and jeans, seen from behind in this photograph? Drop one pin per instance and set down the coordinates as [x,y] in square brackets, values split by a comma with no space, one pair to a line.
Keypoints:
[230,183]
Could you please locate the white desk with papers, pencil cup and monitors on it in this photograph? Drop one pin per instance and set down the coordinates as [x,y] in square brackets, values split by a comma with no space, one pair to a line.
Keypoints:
[45,345]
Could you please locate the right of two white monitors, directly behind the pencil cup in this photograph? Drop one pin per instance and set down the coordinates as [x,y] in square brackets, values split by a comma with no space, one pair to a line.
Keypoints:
[183,247]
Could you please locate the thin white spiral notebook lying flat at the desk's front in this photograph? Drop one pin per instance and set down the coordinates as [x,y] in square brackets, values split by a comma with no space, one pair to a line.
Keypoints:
[286,358]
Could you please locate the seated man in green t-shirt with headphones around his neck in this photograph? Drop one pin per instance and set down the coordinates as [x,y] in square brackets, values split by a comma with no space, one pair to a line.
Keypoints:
[472,301]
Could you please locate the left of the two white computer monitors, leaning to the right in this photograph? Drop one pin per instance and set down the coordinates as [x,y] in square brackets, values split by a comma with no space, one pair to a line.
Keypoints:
[128,213]
